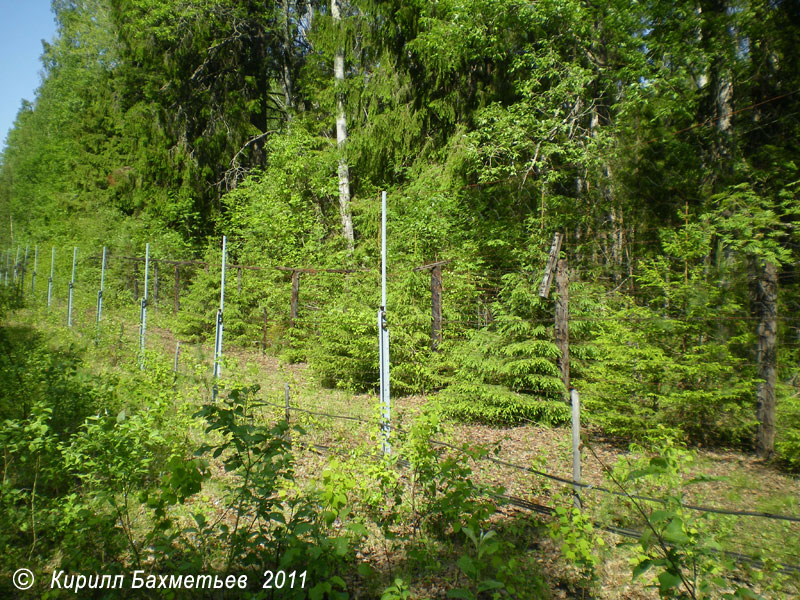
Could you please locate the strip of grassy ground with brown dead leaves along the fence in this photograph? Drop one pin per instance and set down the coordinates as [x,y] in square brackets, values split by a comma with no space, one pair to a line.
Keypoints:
[737,481]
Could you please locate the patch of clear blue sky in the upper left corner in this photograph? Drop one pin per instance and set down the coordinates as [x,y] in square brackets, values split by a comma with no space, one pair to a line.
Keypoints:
[23,26]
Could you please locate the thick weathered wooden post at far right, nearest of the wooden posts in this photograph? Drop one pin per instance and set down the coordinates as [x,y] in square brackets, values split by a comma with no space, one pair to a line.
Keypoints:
[764,303]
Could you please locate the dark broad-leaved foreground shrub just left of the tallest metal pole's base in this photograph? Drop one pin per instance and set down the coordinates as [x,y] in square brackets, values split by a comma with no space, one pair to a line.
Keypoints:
[276,525]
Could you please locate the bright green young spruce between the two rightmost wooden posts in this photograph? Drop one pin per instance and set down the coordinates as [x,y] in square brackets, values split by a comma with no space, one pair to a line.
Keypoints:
[676,362]
